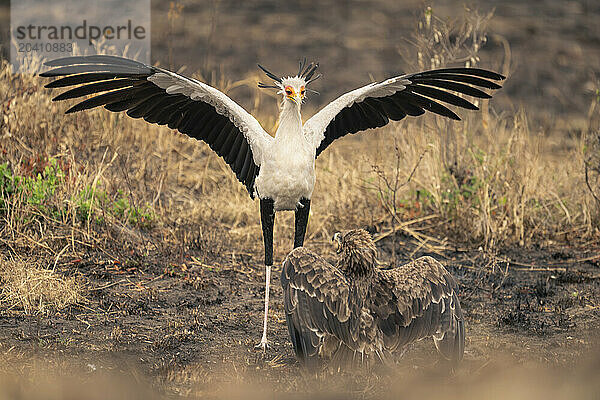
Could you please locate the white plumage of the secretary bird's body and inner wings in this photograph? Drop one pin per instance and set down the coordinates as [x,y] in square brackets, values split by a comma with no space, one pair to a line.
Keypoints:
[287,162]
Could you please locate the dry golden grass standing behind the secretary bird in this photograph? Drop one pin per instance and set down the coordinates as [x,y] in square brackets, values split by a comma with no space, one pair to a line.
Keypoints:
[488,180]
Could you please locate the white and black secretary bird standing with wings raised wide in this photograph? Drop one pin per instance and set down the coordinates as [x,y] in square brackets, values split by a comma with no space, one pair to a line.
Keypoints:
[279,170]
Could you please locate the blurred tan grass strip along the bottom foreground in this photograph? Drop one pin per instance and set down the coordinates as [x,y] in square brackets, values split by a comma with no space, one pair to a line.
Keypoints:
[500,379]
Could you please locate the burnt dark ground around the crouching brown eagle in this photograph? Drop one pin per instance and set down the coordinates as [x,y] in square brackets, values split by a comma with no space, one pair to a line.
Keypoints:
[542,306]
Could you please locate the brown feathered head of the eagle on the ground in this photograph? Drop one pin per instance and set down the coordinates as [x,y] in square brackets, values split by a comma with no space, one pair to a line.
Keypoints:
[358,254]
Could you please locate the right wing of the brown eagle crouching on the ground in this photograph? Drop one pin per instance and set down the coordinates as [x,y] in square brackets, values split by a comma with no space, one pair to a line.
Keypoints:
[419,300]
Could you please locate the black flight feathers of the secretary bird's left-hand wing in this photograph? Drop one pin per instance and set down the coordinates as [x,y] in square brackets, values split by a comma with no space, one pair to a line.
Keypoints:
[120,84]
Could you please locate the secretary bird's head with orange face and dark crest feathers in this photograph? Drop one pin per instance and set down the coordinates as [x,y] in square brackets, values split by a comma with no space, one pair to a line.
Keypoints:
[293,88]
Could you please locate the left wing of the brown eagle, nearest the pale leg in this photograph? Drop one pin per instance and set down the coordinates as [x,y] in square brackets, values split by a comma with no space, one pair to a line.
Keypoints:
[317,302]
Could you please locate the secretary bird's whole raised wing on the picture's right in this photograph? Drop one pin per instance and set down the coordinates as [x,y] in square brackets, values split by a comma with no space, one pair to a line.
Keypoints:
[374,105]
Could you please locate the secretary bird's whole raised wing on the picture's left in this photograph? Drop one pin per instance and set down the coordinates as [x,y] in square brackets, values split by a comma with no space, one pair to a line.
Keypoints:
[165,98]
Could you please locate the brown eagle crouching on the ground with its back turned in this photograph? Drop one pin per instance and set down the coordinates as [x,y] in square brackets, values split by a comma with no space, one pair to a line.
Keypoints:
[354,313]
